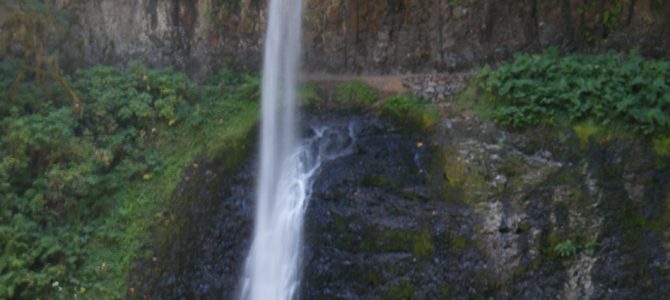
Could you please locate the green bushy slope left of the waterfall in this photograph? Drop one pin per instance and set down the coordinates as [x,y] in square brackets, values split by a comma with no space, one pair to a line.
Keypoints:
[61,171]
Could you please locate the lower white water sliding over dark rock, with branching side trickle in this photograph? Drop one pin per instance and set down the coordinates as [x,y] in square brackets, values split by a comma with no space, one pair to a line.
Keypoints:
[273,266]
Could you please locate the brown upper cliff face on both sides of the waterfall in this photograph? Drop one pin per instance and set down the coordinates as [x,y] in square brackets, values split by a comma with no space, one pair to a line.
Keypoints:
[361,36]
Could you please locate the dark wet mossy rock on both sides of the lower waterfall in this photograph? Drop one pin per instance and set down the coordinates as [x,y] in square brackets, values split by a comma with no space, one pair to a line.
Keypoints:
[474,211]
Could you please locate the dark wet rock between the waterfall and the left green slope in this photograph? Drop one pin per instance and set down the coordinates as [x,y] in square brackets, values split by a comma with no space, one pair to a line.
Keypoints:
[200,250]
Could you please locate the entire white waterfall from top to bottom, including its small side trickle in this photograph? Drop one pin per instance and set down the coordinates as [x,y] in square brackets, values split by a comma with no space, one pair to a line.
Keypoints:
[286,166]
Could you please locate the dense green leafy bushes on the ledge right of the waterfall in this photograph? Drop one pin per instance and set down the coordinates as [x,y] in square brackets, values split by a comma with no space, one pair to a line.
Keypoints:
[629,92]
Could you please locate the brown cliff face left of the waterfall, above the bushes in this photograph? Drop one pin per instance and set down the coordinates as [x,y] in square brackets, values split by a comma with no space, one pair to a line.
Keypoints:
[195,36]
